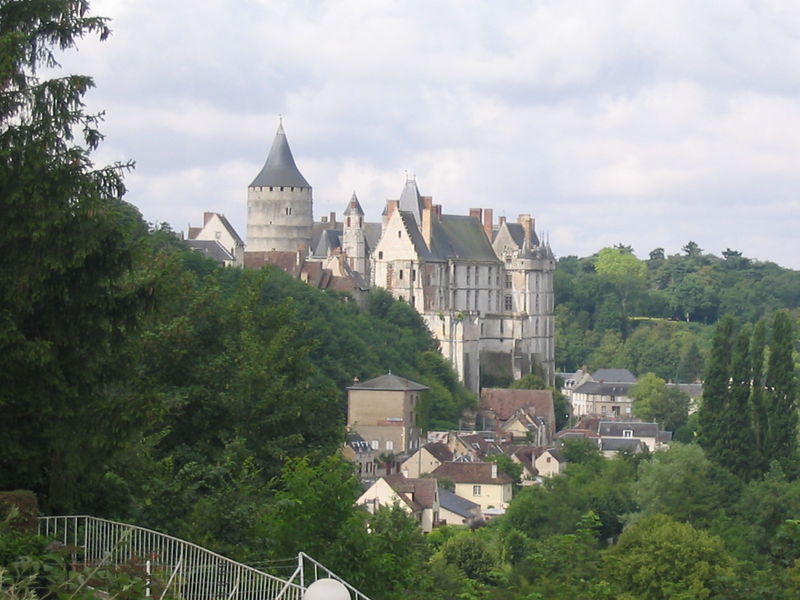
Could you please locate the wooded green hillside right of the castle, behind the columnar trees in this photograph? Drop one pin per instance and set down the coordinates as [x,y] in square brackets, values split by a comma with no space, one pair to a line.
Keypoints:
[613,310]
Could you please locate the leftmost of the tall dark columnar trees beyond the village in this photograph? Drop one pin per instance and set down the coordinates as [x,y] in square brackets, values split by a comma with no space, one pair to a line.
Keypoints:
[716,390]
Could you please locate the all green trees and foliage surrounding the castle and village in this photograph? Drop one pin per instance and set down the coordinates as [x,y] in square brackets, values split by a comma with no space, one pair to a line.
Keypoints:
[142,382]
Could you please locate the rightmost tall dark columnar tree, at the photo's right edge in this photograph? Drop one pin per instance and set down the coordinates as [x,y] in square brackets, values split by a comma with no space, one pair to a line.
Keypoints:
[781,440]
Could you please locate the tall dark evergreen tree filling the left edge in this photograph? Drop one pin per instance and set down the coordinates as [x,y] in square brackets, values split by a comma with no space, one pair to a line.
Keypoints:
[68,294]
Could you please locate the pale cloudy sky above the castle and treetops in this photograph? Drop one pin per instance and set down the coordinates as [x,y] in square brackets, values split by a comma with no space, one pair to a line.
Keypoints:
[649,123]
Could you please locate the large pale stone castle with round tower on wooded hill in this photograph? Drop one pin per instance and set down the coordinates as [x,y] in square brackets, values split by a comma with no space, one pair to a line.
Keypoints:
[484,288]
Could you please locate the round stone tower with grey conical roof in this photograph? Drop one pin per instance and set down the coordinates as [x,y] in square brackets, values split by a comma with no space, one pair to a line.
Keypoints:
[279,203]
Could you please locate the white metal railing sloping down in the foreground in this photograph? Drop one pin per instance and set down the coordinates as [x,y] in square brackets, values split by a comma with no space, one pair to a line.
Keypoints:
[182,569]
